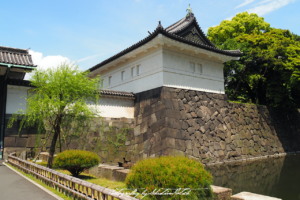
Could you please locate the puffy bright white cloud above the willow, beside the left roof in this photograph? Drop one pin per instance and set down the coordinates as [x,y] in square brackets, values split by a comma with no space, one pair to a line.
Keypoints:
[46,62]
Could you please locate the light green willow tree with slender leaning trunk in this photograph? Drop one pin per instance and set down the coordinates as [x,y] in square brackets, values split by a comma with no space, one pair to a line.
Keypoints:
[58,104]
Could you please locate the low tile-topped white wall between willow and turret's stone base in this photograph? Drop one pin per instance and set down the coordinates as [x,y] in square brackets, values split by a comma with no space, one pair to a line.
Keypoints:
[116,107]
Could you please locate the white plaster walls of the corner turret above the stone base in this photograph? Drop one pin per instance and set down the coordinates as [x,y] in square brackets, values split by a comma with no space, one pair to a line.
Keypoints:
[167,67]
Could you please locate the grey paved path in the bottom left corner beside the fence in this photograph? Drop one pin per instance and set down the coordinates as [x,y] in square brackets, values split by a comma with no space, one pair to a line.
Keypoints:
[15,187]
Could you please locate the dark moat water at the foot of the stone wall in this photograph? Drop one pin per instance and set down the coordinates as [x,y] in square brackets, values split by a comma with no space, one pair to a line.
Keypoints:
[275,177]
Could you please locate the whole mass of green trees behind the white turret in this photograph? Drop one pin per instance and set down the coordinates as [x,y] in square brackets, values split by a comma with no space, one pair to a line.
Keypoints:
[268,71]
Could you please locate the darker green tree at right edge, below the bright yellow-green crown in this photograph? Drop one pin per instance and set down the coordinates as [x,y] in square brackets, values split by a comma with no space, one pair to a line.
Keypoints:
[274,77]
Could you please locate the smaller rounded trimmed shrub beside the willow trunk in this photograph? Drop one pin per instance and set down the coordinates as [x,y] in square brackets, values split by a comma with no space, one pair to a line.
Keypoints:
[76,161]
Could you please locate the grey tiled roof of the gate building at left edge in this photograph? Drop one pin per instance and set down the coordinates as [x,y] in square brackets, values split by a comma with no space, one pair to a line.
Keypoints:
[15,56]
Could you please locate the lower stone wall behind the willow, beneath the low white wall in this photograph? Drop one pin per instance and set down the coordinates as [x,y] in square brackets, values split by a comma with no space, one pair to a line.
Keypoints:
[106,137]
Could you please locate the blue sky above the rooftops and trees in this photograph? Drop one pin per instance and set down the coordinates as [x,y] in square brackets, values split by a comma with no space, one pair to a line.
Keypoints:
[91,31]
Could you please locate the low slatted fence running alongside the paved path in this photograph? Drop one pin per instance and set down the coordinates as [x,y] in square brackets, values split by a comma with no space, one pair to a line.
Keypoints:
[66,184]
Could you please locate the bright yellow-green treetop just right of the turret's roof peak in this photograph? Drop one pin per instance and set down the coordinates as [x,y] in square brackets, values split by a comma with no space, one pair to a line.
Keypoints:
[242,23]
